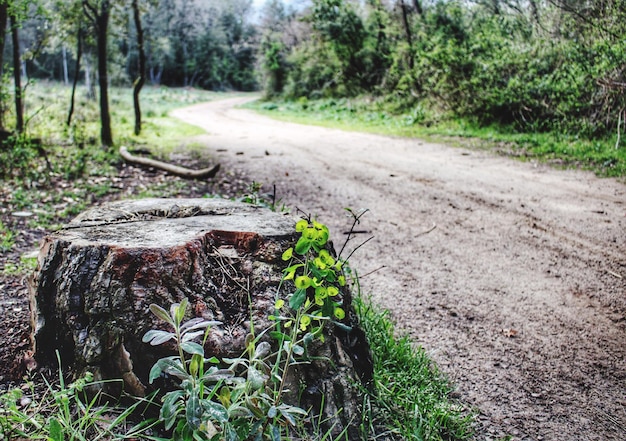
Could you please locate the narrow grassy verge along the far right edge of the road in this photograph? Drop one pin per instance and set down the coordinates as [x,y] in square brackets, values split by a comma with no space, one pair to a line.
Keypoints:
[599,156]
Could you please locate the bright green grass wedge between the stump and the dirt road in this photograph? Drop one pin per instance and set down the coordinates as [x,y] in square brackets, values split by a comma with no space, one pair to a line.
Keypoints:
[411,397]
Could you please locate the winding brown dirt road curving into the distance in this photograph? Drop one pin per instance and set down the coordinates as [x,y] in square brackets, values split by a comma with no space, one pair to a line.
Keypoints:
[511,275]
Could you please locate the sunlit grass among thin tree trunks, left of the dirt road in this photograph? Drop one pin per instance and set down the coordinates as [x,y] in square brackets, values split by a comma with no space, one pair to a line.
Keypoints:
[28,181]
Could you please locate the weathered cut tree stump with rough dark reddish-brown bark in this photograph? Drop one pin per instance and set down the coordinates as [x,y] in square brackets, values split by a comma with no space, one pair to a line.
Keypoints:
[97,277]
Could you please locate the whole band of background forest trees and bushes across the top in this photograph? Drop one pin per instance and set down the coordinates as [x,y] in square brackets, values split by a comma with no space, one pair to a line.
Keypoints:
[513,65]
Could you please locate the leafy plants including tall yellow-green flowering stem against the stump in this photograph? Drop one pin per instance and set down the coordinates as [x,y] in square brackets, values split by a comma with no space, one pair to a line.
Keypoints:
[244,398]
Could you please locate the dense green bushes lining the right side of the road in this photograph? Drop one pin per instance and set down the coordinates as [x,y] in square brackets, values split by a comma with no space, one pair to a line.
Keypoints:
[557,69]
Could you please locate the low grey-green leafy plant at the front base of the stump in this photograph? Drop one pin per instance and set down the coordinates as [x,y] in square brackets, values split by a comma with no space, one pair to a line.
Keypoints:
[216,403]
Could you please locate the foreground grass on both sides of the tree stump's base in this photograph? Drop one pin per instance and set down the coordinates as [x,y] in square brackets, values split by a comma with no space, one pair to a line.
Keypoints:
[410,399]
